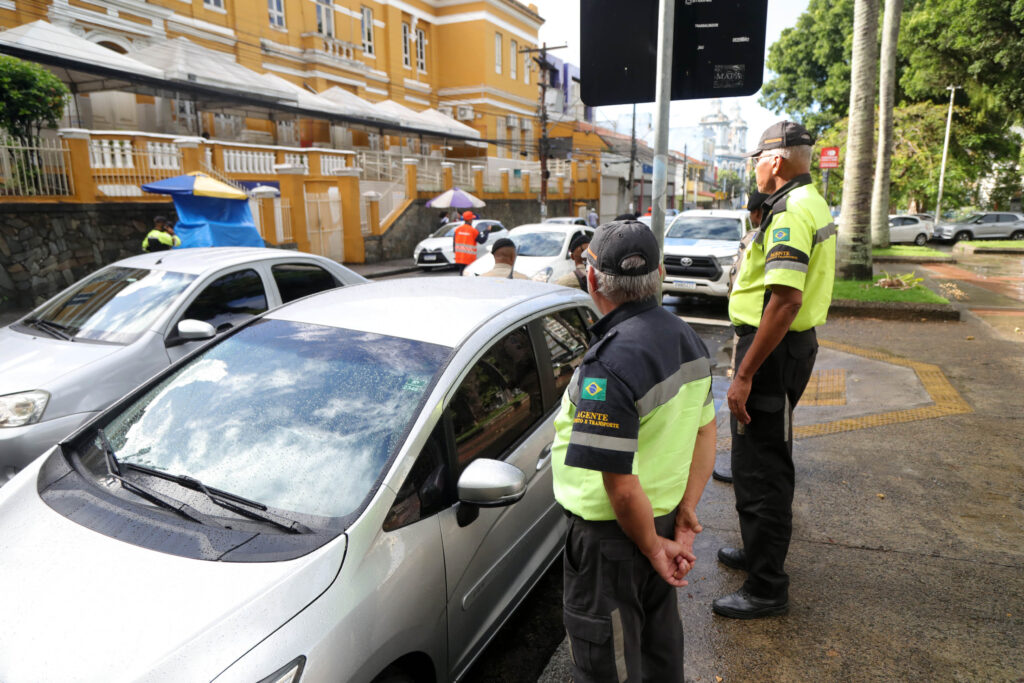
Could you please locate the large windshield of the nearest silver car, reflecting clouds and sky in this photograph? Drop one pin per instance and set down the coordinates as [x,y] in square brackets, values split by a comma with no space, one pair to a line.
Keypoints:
[303,418]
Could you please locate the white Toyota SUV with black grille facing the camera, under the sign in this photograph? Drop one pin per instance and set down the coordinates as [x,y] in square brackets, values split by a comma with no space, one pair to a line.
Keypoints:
[701,246]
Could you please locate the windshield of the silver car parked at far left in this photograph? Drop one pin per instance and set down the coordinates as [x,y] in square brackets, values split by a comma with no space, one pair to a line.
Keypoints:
[116,305]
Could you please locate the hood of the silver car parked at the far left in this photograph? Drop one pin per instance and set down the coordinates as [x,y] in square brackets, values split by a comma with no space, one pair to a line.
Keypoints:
[28,362]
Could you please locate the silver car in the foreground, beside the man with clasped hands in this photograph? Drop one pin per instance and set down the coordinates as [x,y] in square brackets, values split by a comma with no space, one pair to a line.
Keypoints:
[356,487]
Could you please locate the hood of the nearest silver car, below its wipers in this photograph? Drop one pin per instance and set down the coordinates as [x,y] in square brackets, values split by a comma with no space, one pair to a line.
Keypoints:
[80,606]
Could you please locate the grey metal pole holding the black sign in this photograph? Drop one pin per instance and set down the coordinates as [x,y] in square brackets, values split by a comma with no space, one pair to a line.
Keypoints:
[660,182]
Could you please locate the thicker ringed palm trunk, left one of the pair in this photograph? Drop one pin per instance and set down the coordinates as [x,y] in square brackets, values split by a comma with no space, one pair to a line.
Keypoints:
[855,253]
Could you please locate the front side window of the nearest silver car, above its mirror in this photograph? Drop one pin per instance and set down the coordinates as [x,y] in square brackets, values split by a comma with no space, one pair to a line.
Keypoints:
[499,401]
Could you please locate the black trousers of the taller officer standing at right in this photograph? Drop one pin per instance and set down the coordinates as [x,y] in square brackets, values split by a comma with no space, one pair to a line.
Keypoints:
[762,459]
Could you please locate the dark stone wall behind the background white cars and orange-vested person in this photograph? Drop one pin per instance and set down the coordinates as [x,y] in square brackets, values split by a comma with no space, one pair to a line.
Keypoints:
[419,222]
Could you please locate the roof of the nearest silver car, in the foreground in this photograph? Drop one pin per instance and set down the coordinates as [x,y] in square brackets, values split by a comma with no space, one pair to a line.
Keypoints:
[438,311]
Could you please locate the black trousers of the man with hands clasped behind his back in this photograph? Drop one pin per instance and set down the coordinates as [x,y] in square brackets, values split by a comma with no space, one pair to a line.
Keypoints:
[622,618]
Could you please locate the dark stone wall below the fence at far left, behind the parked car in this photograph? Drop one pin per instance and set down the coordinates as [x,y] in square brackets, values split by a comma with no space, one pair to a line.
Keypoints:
[47,247]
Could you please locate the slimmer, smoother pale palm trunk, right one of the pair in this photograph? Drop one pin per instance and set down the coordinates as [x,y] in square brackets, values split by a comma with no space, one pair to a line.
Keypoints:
[887,92]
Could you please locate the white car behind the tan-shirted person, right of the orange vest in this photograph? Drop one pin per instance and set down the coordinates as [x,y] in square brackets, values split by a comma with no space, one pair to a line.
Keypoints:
[542,251]
